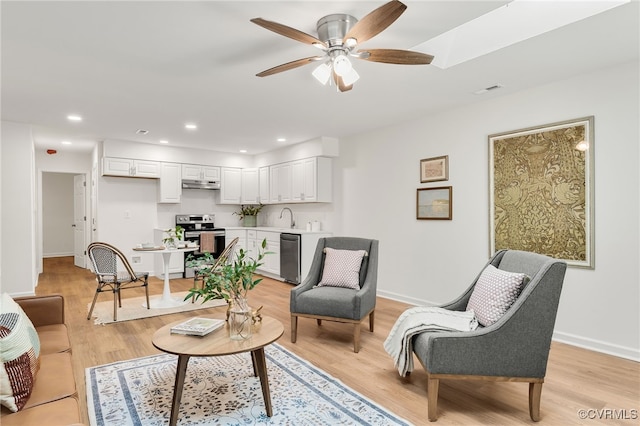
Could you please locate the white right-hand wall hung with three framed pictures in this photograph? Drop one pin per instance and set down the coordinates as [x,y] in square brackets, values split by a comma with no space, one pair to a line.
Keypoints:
[427,262]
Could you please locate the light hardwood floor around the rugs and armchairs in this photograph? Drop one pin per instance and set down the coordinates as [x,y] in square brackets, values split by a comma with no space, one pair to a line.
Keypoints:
[577,379]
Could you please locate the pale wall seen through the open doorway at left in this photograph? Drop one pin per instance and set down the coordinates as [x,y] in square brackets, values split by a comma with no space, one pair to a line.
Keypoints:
[57,214]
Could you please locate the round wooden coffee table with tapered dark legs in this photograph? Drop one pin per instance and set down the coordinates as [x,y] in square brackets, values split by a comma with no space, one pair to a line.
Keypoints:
[218,343]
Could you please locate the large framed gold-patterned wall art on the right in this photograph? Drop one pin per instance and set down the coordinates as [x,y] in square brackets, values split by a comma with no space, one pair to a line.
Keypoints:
[541,191]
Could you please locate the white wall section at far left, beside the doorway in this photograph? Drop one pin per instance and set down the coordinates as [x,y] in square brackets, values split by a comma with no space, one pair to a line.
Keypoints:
[19,276]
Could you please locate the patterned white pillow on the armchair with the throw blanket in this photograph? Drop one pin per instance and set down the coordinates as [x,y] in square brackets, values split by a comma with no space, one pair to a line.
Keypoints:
[494,293]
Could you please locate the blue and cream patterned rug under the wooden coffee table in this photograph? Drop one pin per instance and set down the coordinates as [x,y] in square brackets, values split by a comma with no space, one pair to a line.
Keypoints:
[223,391]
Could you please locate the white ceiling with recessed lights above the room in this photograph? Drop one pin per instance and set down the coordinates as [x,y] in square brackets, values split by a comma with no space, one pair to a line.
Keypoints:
[152,65]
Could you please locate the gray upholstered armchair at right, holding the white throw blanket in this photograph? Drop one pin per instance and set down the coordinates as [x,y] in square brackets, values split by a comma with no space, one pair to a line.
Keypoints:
[515,348]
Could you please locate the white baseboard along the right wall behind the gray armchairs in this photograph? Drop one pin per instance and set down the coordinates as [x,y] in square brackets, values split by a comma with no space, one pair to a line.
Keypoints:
[559,336]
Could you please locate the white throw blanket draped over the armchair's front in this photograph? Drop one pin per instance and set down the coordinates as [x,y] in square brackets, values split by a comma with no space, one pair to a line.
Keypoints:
[418,320]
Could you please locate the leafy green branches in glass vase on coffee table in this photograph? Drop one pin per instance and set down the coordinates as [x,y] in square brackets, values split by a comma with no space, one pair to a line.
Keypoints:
[231,280]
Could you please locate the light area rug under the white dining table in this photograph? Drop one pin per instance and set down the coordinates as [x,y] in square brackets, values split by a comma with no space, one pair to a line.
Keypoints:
[132,308]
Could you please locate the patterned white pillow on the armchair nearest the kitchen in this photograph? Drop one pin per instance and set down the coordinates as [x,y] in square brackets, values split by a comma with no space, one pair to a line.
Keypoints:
[342,268]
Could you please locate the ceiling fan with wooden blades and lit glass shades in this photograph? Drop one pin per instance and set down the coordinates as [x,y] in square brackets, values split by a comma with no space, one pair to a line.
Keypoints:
[338,37]
